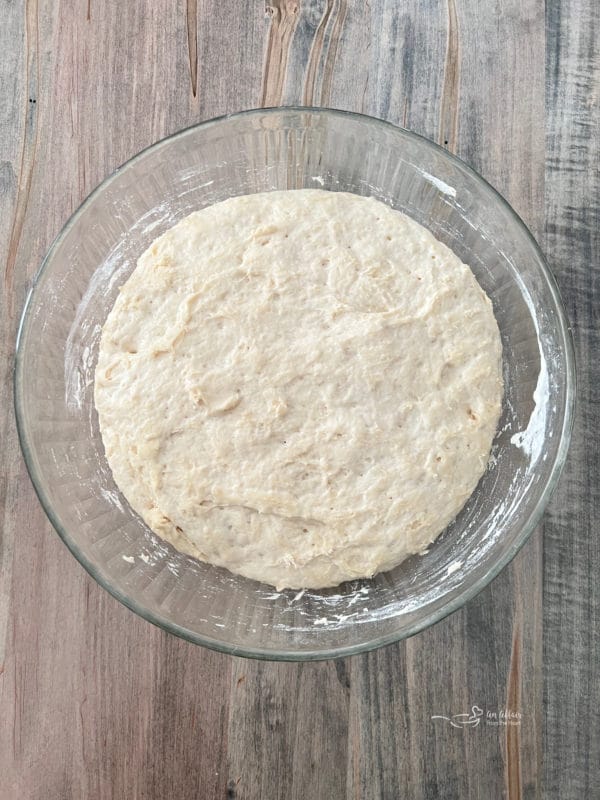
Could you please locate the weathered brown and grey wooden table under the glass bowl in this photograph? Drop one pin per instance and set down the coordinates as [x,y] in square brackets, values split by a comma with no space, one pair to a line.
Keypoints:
[96,703]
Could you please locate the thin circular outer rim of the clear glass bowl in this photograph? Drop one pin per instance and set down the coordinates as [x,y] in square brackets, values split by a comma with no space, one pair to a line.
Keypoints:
[436,615]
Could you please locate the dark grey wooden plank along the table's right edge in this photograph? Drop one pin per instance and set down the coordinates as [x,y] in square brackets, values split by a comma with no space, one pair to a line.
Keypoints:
[571,542]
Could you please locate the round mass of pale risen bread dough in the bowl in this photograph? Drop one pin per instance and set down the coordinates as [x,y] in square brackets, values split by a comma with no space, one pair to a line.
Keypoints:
[301,386]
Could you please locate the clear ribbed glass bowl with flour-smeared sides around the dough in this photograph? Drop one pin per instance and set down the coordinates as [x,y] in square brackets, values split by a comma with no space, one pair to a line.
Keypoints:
[257,151]
